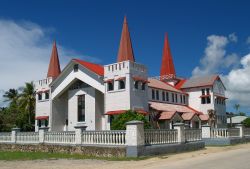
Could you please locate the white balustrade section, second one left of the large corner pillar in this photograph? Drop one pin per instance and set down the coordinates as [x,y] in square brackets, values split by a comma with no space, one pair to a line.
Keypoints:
[60,137]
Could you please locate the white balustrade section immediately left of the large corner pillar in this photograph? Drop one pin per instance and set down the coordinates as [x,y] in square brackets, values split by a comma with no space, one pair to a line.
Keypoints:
[116,137]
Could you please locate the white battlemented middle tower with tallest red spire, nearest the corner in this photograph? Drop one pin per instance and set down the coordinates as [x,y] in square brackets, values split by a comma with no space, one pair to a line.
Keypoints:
[125,80]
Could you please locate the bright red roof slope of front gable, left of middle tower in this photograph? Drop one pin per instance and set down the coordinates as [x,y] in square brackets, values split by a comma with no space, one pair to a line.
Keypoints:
[96,68]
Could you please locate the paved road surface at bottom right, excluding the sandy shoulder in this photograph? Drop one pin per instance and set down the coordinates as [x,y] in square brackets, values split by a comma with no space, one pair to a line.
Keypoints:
[234,159]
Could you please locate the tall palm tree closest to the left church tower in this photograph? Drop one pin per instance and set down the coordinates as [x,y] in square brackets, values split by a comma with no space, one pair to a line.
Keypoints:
[27,99]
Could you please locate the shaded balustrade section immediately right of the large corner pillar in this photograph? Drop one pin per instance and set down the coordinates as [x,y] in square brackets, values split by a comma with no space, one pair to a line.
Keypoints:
[160,136]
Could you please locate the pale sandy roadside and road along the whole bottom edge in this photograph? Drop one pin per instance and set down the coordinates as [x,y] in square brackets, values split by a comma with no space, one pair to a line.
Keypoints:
[231,157]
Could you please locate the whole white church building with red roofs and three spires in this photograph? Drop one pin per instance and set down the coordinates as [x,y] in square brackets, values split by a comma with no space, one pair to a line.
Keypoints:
[87,95]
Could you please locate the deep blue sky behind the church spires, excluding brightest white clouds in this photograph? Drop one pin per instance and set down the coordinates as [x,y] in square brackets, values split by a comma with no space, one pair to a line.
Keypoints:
[91,30]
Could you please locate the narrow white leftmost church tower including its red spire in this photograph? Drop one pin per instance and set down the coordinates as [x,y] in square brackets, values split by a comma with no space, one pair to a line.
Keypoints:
[43,92]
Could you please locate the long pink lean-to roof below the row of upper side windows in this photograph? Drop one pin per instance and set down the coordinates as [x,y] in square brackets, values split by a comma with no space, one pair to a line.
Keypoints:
[165,107]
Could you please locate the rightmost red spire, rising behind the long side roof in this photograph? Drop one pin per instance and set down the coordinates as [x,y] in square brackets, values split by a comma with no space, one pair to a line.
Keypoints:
[167,65]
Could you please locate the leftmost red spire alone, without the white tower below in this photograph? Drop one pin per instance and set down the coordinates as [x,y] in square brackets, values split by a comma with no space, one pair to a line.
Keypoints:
[54,65]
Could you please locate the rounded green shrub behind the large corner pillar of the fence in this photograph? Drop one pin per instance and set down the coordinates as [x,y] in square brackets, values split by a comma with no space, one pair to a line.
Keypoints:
[119,121]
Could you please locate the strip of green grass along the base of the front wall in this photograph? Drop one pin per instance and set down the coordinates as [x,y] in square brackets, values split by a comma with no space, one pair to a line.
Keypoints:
[16,155]
